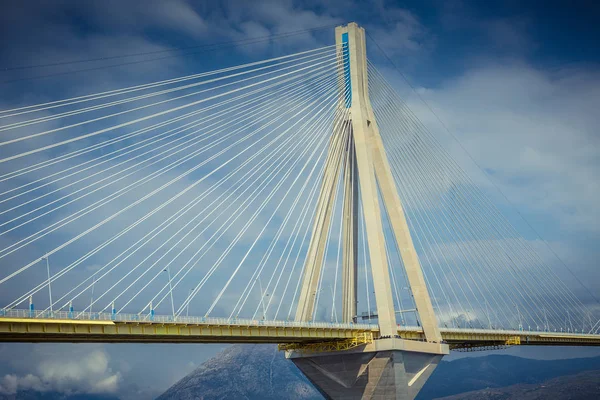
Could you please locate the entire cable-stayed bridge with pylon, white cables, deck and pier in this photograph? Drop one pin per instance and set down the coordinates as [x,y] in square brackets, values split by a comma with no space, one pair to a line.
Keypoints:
[296,200]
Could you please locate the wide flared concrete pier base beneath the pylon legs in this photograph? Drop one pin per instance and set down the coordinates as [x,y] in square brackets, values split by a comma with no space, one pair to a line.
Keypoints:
[385,369]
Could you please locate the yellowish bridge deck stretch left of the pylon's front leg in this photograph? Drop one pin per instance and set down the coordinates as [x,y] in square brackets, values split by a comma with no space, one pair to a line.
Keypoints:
[23,326]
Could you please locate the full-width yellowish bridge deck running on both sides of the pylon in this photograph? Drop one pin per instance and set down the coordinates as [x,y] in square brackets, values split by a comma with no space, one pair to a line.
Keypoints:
[23,326]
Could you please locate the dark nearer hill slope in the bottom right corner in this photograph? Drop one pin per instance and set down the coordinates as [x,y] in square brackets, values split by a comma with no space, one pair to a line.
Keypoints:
[582,386]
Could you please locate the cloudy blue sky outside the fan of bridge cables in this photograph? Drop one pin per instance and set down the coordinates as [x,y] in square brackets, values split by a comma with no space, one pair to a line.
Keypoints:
[517,84]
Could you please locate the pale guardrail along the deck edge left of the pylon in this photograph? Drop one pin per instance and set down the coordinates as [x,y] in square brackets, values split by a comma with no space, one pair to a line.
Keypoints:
[121,317]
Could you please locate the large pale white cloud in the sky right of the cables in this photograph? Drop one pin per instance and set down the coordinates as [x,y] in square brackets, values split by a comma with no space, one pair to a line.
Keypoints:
[535,130]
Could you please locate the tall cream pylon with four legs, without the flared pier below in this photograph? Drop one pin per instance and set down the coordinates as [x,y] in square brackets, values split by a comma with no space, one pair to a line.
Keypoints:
[356,151]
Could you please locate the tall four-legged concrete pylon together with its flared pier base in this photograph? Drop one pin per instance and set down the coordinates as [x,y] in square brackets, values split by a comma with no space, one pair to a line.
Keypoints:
[388,368]
